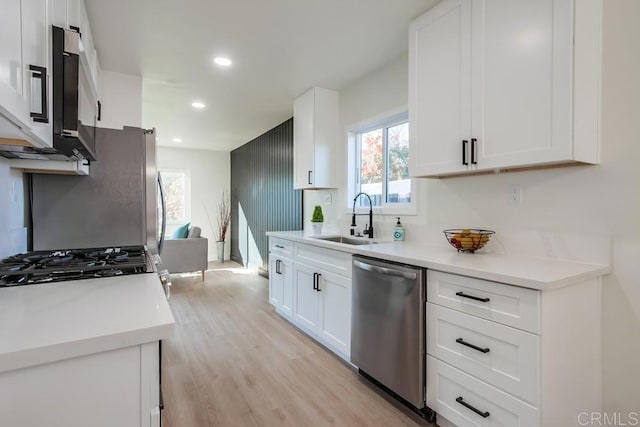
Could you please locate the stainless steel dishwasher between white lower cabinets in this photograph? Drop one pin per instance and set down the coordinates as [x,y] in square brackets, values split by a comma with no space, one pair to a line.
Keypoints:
[388,328]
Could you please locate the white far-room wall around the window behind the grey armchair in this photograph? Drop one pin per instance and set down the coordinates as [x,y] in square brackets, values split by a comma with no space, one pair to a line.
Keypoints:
[210,176]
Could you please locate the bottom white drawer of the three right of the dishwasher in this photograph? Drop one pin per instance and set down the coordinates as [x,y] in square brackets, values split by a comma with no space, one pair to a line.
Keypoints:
[449,390]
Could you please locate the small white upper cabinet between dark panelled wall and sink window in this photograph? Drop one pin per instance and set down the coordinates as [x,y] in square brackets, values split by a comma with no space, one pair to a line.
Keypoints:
[315,132]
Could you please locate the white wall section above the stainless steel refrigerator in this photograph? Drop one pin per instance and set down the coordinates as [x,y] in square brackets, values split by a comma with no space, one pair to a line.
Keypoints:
[121,100]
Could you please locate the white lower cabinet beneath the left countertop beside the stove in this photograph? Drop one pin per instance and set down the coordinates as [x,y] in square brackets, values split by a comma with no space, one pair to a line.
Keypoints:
[113,388]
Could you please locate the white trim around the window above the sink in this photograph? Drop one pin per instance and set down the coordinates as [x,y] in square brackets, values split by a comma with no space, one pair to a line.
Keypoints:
[352,130]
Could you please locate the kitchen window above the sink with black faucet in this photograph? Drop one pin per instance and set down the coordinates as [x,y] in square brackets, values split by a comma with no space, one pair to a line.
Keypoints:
[381,157]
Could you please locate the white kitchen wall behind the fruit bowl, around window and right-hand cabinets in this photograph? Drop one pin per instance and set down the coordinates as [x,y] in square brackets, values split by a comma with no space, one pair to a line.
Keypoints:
[579,200]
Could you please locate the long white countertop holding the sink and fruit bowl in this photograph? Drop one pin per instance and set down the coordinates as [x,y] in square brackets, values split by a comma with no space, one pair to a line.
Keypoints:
[529,272]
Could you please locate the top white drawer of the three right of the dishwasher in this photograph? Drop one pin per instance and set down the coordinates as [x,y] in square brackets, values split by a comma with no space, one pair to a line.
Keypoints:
[510,305]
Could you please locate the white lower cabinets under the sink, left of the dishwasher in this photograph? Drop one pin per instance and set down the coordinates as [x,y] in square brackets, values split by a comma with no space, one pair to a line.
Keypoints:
[313,291]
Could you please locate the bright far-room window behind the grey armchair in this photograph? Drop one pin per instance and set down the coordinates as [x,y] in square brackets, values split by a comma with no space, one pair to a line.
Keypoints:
[177,195]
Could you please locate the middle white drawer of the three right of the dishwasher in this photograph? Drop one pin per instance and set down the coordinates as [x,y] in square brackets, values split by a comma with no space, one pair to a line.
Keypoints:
[505,357]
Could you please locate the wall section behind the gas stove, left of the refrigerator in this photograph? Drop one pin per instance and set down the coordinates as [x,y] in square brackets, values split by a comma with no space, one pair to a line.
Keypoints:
[12,221]
